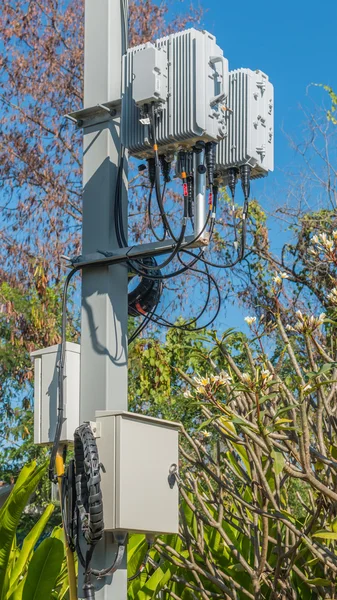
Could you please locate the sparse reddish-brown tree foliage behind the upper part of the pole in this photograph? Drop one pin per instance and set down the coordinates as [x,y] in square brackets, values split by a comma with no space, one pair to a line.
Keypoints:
[40,150]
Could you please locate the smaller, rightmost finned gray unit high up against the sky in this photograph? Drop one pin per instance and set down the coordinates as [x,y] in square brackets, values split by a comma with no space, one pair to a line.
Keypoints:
[250,124]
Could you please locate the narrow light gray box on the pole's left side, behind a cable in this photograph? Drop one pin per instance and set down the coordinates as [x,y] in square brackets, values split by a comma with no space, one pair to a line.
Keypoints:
[46,393]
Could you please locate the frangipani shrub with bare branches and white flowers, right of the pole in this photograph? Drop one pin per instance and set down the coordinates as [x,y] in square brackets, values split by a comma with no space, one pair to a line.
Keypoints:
[258,472]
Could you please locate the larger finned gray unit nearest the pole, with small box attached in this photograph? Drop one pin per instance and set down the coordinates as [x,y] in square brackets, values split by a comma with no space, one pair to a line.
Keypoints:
[197,88]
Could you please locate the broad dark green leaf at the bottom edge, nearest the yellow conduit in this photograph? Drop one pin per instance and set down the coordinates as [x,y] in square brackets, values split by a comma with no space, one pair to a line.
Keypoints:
[43,570]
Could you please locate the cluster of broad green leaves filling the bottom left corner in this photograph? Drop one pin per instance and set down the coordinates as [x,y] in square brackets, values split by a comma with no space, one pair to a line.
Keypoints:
[25,574]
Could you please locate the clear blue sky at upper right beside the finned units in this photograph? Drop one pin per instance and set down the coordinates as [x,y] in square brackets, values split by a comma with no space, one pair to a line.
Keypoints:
[294,43]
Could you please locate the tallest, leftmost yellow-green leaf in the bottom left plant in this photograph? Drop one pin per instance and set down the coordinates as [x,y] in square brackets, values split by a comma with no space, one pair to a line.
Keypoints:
[12,510]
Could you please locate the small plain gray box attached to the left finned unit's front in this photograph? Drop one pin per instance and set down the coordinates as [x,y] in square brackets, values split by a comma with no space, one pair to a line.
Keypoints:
[150,75]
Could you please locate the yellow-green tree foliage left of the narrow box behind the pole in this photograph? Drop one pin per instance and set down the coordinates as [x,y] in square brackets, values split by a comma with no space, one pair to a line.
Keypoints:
[29,319]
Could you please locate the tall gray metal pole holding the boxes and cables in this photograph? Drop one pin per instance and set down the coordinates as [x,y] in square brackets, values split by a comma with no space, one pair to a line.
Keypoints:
[104,371]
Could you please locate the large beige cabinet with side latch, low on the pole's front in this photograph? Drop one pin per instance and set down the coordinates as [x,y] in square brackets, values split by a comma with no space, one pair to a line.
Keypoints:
[138,454]
